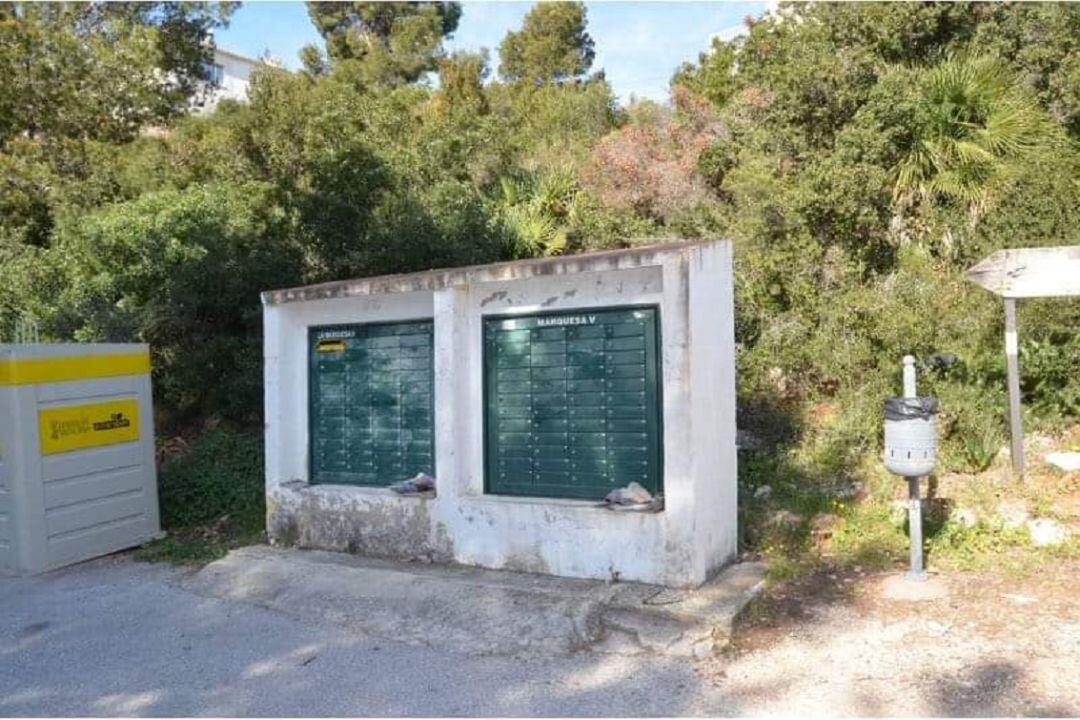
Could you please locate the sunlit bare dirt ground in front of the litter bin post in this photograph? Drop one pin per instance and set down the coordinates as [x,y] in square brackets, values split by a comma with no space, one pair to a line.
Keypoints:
[833,645]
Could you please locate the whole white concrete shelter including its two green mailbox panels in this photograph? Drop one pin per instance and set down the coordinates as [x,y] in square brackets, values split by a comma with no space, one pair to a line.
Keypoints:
[529,390]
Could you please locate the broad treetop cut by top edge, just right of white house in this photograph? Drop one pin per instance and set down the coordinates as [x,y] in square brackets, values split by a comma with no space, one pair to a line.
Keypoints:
[384,43]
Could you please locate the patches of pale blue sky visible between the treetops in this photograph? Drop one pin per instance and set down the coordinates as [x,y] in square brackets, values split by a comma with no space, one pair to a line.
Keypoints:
[640,45]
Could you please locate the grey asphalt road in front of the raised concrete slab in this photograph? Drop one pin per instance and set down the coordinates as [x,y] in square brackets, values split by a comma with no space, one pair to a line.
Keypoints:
[117,637]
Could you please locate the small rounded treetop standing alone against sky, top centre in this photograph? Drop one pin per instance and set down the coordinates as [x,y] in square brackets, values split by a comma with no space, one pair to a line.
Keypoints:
[552,46]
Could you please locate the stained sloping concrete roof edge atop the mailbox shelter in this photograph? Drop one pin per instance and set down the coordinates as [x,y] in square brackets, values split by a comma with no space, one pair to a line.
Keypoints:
[435,280]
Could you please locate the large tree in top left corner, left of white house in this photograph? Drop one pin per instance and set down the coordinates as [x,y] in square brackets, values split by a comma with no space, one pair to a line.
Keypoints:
[100,71]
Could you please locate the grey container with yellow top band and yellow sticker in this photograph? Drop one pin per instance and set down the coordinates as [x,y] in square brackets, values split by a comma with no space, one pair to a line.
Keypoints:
[77,463]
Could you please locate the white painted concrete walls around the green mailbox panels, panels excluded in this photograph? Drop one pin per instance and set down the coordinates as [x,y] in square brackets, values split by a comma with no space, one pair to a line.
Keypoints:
[683,546]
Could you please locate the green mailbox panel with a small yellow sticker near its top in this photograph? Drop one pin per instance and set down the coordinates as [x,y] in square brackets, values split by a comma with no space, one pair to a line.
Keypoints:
[372,403]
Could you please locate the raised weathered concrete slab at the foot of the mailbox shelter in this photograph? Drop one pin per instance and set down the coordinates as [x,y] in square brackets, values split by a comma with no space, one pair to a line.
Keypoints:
[483,613]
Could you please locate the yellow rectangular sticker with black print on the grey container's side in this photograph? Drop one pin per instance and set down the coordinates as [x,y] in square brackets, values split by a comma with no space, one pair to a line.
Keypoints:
[79,427]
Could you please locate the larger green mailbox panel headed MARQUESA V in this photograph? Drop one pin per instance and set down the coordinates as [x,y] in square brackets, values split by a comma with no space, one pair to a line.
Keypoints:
[573,403]
